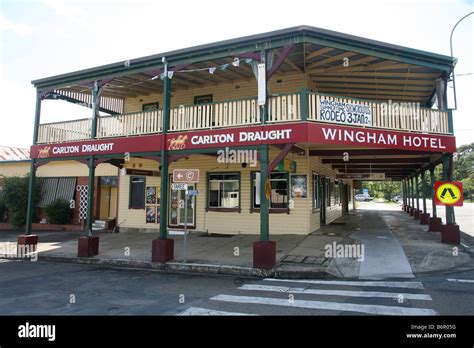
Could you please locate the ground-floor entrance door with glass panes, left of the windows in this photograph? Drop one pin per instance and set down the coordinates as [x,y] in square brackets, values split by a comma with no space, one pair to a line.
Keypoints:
[177,208]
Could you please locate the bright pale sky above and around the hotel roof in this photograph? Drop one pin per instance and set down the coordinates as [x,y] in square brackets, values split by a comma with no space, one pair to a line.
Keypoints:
[43,38]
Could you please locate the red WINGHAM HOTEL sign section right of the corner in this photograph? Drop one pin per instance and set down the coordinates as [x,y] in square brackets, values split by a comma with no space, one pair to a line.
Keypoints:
[377,138]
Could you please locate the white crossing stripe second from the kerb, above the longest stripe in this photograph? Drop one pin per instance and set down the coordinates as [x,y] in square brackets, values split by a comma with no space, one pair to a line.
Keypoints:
[349,293]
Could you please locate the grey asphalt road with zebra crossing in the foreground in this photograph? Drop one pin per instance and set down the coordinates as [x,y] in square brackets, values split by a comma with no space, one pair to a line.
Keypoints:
[38,288]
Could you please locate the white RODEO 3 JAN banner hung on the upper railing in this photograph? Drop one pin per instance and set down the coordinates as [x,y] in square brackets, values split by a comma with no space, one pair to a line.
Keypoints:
[347,113]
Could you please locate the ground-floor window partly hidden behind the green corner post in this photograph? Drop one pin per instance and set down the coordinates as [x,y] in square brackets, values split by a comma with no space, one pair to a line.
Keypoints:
[279,195]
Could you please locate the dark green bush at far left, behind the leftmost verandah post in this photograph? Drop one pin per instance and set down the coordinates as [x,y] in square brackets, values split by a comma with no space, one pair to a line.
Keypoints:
[15,199]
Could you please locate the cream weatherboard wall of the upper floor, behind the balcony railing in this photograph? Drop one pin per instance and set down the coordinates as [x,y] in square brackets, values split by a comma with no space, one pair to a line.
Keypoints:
[282,83]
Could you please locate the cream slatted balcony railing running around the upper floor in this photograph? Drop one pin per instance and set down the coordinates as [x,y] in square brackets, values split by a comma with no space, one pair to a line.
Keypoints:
[281,108]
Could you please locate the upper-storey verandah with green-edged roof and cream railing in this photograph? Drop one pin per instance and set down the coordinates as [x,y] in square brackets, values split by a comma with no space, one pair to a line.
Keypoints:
[323,61]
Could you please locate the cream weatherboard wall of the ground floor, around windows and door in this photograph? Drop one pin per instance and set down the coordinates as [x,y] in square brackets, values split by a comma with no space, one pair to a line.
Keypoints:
[300,220]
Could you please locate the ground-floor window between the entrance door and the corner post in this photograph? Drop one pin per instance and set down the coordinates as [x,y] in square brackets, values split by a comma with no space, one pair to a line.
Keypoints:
[224,191]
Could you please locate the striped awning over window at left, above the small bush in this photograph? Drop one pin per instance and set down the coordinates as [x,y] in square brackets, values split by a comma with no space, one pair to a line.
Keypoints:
[54,188]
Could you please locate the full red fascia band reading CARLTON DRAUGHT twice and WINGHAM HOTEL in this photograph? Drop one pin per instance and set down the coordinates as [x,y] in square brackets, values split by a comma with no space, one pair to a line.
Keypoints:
[301,132]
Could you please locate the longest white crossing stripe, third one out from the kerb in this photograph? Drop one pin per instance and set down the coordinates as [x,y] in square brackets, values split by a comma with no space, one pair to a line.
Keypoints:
[352,307]
